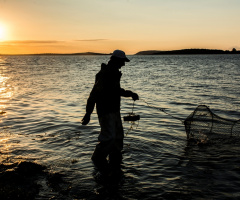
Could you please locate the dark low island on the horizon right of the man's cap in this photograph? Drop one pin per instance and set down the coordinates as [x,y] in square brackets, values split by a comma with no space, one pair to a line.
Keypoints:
[188,51]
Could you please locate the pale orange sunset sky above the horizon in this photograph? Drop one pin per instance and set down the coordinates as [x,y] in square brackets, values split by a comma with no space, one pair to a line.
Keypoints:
[72,26]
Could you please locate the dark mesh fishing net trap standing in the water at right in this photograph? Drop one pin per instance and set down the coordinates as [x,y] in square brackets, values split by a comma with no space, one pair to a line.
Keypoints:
[203,124]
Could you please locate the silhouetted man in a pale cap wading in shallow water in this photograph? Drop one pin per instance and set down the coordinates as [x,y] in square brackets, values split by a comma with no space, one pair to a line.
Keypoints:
[106,94]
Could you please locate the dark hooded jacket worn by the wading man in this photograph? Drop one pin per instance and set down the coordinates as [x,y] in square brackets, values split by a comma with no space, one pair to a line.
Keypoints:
[106,92]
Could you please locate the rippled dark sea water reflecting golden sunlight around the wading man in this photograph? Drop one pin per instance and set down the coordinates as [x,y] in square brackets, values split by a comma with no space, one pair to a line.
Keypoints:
[43,100]
